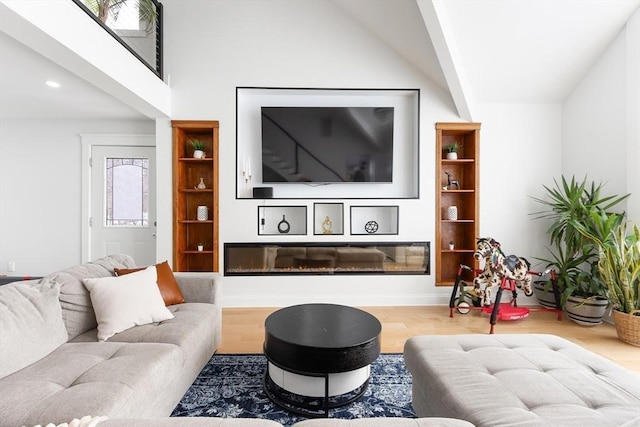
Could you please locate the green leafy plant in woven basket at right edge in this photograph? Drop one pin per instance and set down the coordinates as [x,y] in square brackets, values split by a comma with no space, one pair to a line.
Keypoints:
[619,268]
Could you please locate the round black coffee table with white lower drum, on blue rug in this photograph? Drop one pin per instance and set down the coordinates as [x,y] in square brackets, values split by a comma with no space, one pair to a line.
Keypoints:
[319,356]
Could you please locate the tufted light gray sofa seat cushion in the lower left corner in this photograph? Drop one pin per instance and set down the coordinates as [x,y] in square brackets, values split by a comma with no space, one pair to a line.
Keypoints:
[100,379]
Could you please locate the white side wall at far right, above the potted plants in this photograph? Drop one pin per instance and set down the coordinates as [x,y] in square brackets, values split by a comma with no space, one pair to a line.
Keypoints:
[601,118]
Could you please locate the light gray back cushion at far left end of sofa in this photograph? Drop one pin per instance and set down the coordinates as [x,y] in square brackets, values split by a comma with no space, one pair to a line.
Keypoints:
[31,324]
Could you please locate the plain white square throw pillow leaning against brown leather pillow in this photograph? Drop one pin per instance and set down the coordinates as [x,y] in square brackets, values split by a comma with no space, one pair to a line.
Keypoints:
[126,301]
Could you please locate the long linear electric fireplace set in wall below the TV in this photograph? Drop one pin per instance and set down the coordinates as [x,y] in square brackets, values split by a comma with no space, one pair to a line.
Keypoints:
[255,259]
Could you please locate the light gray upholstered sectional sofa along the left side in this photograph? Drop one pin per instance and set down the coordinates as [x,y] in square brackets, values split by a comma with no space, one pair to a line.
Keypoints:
[54,369]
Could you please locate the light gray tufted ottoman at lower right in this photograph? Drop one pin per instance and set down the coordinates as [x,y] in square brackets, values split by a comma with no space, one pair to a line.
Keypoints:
[532,380]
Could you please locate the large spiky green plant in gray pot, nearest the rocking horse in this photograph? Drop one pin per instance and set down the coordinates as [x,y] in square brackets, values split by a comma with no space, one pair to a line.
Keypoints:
[574,256]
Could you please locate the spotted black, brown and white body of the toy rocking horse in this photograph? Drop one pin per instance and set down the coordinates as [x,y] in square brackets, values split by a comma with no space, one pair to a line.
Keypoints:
[497,267]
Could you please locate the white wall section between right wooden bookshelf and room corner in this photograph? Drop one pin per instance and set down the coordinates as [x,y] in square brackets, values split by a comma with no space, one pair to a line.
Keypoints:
[518,145]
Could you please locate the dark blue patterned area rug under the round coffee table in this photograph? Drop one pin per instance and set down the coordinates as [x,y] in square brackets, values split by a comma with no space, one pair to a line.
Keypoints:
[231,386]
